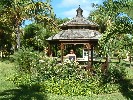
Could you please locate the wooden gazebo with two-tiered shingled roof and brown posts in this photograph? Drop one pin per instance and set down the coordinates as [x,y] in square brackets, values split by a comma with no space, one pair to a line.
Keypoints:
[77,31]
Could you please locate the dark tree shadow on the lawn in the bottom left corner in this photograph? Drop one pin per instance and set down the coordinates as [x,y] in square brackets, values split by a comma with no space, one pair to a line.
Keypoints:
[23,93]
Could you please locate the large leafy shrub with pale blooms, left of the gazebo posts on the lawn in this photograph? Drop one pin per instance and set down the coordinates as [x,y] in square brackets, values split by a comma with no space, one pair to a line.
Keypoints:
[32,67]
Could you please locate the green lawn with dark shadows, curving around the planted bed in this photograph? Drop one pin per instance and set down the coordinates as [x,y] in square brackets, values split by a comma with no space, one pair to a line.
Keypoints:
[8,91]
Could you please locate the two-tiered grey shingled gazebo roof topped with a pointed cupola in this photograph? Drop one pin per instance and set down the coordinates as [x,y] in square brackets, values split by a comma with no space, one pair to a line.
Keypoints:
[77,28]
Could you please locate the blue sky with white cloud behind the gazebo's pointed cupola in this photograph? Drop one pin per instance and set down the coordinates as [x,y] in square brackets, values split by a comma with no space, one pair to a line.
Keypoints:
[67,8]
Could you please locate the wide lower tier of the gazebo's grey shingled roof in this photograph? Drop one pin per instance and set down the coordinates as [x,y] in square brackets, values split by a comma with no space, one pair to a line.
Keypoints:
[76,34]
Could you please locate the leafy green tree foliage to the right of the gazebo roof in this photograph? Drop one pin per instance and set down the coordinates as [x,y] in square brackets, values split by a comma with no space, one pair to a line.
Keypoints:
[117,29]
